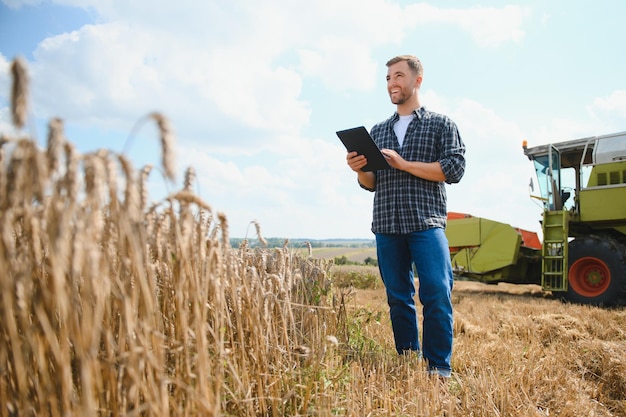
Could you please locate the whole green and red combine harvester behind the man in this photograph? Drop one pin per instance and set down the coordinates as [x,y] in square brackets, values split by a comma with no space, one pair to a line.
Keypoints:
[583,255]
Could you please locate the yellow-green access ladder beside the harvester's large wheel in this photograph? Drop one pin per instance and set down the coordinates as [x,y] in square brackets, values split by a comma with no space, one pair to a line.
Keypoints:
[554,265]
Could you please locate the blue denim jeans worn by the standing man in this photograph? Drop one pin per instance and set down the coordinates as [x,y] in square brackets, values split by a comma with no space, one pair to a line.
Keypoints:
[428,250]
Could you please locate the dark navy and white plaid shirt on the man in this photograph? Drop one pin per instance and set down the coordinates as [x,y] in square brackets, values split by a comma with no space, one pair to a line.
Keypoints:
[404,203]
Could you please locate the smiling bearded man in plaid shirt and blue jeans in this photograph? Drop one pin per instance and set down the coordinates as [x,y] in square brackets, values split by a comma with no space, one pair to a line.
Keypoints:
[425,151]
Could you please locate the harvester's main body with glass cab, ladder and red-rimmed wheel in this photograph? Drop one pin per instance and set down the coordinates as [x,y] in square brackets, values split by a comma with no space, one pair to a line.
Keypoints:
[582,186]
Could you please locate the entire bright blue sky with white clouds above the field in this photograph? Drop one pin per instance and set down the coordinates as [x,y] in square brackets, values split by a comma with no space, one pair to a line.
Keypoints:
[255,91]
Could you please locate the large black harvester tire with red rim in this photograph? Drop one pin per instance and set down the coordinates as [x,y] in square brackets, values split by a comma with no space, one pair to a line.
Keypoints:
[597,271]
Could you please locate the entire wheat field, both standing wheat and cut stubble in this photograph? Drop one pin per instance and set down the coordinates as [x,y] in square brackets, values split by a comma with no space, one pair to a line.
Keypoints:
[113,307]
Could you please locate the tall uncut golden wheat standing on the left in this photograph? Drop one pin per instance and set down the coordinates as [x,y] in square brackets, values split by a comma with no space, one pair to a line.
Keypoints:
[98,316]
